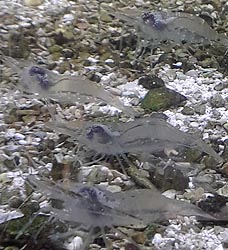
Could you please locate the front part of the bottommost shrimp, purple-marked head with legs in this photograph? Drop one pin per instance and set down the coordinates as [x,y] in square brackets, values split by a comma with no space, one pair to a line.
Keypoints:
[88,207]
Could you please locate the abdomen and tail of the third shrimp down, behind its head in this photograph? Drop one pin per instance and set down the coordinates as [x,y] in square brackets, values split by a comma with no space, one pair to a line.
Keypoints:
[149,135]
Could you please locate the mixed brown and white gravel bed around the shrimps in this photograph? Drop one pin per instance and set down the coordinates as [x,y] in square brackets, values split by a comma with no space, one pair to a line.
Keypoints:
[81,38]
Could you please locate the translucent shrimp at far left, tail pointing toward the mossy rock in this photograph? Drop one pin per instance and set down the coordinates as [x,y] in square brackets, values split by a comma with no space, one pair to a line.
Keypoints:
[62,88]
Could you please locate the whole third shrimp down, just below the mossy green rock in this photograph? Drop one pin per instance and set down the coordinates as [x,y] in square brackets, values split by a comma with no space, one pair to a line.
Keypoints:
[142,136]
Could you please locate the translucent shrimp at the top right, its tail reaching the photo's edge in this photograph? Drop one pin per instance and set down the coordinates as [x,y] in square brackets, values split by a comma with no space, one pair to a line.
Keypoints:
[154,28]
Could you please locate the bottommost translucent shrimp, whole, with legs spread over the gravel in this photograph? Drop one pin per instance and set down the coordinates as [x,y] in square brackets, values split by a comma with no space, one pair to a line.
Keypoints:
[92,207]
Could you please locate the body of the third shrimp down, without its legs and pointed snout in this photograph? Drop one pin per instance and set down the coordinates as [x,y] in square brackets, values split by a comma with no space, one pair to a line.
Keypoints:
[145,135]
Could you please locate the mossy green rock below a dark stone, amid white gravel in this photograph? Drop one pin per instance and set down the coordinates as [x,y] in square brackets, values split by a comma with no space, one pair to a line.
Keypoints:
[161,99]
